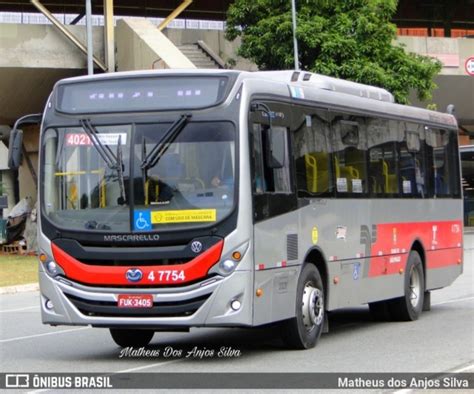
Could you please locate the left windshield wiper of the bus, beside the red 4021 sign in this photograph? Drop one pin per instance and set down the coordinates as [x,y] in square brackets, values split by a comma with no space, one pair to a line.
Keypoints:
[114,162]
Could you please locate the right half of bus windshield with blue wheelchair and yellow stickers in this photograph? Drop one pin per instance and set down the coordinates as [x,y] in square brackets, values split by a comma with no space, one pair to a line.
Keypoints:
[193,181]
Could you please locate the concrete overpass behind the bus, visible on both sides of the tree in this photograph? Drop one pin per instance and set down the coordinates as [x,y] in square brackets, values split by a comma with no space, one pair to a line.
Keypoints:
[34,57]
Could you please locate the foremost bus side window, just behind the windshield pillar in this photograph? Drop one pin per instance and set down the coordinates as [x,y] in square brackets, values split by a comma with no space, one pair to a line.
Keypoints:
[271,153]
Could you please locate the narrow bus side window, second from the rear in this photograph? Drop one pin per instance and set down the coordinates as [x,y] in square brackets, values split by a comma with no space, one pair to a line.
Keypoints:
[411,161]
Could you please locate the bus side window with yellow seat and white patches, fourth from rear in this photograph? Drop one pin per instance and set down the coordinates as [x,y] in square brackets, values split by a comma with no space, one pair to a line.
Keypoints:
[349,147]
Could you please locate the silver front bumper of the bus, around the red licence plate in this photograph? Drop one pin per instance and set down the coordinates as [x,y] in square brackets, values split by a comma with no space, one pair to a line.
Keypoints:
[206,303]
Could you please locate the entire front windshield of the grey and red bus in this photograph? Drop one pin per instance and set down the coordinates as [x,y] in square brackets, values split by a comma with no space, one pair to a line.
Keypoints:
[102,177]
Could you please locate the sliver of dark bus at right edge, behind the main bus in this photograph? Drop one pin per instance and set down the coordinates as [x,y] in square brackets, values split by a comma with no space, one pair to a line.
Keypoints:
[467,171]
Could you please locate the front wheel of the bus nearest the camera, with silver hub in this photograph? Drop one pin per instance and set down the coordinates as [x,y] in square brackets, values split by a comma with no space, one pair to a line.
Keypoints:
[304,330]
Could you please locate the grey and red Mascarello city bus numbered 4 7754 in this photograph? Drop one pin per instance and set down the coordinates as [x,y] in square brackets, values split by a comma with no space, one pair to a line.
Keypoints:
[197,198]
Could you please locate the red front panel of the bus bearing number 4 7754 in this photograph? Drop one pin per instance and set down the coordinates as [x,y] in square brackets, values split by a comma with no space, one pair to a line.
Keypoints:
[191,271]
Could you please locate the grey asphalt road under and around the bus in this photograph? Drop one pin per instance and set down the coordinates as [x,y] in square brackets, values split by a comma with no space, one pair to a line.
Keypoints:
[441,340]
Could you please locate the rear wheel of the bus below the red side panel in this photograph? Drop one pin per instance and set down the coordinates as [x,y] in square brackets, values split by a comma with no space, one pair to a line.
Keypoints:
[409,307]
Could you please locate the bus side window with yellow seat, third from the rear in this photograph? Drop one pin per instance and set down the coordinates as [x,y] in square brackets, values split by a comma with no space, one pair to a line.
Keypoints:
[383,136]
